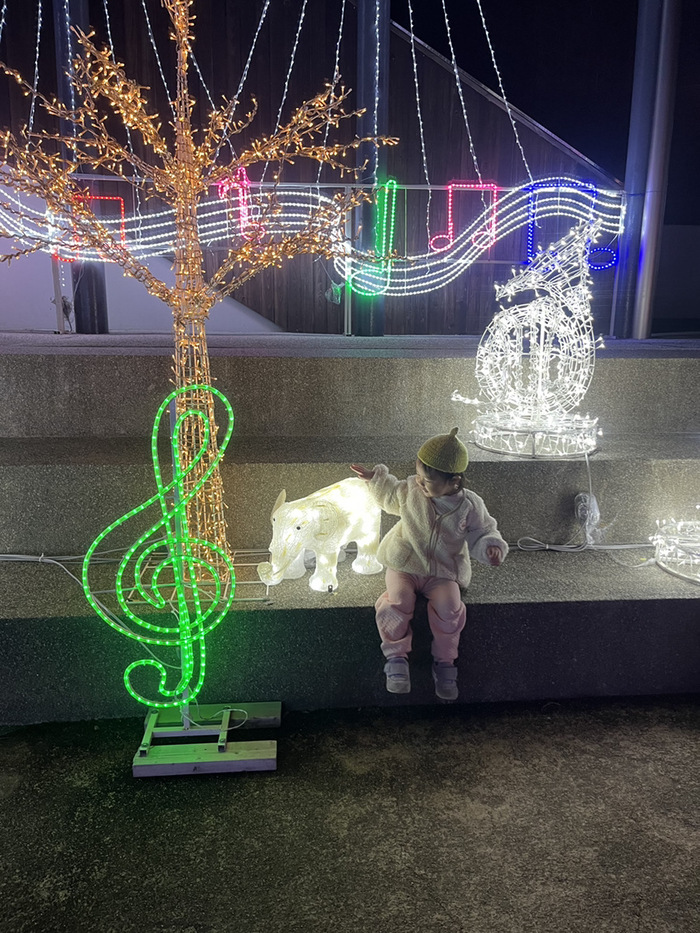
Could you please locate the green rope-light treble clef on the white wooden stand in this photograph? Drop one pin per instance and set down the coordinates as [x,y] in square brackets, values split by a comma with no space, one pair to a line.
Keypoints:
[194,621]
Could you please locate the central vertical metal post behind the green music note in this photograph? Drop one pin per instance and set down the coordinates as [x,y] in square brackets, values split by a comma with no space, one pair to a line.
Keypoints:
[373,95]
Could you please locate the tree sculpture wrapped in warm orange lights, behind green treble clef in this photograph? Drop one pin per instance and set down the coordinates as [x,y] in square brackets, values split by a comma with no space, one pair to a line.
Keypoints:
[178,167]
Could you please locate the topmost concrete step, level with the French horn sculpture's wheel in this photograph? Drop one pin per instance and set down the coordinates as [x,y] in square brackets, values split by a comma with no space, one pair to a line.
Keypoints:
[320,387]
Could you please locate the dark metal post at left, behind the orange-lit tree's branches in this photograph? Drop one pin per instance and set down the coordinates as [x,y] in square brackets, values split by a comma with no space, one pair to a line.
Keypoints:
[89,289]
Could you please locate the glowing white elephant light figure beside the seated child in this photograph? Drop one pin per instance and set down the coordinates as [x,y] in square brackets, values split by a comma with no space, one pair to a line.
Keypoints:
[323,522]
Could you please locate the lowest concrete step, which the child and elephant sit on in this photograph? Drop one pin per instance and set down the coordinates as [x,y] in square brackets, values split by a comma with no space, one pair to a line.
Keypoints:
[544,626]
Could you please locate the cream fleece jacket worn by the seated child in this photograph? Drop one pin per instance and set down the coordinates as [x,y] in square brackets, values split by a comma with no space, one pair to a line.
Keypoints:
[425,542]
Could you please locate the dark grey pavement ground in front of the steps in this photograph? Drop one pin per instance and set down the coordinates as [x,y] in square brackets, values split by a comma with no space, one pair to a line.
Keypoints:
[575,816]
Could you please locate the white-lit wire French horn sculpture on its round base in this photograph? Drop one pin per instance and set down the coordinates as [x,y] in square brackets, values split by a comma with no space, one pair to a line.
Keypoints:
[535,361]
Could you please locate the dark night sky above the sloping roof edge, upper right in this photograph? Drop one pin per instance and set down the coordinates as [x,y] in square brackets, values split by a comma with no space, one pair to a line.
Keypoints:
[568,64]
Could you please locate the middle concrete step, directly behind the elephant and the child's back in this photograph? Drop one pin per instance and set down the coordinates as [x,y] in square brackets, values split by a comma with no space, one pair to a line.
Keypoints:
[57,494]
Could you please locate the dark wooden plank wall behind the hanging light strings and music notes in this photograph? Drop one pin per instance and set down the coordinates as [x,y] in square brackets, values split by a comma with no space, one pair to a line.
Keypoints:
[294,296]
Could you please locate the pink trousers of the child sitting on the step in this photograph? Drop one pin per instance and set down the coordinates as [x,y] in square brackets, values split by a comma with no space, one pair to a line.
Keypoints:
[446,614]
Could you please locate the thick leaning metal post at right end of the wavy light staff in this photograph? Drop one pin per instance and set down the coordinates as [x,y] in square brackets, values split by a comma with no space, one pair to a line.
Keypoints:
[654,77]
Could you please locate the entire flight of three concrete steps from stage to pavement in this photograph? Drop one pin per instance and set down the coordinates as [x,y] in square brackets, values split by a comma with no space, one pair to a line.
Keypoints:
[75,455]
